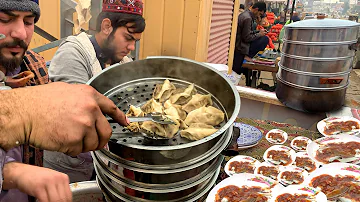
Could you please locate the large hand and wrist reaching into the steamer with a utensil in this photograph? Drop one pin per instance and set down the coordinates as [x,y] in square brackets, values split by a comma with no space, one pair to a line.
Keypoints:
[60,117]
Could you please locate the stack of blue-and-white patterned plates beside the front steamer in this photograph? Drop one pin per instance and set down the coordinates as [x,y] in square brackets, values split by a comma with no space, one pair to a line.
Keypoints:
[249,136]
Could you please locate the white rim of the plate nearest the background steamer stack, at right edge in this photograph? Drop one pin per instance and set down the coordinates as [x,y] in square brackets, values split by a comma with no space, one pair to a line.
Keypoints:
[321,125]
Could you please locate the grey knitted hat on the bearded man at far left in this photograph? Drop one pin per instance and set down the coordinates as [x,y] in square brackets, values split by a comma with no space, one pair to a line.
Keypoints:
[21,5]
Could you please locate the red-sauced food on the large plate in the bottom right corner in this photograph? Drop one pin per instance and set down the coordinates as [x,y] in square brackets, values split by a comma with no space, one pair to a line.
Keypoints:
[347,187]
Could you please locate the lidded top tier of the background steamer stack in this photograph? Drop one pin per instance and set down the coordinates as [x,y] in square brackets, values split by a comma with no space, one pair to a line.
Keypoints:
[322,30]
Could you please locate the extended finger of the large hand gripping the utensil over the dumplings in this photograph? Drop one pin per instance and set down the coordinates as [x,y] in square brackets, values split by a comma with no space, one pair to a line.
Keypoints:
[109,108]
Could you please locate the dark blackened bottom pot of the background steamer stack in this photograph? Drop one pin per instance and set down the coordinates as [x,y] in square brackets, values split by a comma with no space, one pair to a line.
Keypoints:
[309,99]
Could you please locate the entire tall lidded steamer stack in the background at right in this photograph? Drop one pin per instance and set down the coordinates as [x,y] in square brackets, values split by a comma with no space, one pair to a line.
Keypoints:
[317,58]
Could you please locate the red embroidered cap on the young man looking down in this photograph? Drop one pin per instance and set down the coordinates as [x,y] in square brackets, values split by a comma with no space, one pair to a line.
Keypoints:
[123,6]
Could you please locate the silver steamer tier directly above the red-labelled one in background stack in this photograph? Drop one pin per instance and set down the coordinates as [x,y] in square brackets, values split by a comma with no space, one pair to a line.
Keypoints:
[317,65]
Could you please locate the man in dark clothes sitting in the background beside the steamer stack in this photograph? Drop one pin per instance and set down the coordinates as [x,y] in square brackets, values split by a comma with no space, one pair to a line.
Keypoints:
[248,41]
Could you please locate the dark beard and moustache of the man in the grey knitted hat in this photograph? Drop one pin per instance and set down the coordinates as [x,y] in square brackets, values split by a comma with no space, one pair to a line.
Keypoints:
[10,64]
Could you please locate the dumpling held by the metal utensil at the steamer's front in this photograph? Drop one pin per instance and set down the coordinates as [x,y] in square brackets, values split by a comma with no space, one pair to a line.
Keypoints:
[167,131]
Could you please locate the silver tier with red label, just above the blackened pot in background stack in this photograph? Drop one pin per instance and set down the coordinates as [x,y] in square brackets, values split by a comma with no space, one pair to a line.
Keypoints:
[313,80]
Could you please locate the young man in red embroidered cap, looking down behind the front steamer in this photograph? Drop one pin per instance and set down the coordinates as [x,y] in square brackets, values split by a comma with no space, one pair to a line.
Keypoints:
[119,26]
